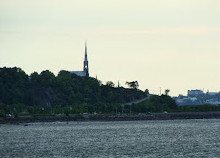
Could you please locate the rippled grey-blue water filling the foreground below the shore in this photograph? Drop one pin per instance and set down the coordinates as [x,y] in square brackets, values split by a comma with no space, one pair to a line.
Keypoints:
[178,138]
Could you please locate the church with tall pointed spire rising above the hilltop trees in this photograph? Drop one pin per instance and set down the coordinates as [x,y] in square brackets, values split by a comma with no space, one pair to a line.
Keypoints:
[85,71]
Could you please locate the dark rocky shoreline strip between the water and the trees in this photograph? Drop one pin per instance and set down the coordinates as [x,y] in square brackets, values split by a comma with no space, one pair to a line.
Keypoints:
[153,116]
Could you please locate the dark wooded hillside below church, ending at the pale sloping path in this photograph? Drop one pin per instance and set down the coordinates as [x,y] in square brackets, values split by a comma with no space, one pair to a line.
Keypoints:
[65,89]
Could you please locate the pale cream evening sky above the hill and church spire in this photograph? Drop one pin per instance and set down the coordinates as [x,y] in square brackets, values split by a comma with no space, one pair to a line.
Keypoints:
[163,44]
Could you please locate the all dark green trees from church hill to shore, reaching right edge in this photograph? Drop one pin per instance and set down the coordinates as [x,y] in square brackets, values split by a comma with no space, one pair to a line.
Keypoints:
[46,94]
